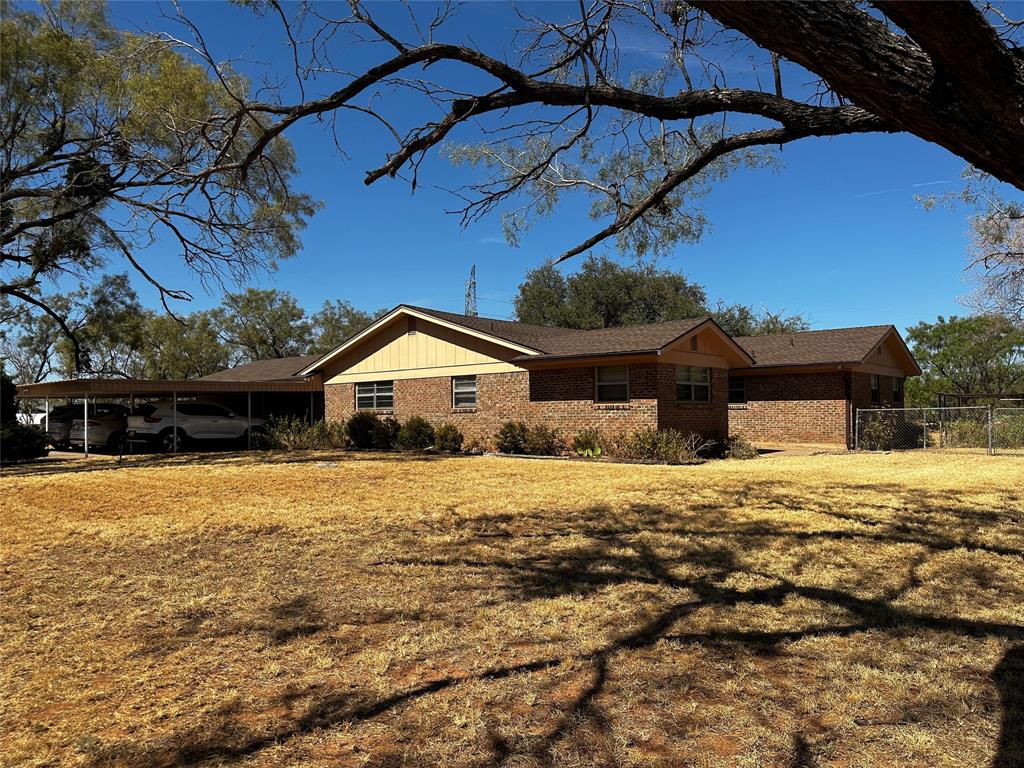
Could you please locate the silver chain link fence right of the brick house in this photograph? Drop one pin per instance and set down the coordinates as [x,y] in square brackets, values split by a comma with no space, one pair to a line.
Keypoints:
[978,428]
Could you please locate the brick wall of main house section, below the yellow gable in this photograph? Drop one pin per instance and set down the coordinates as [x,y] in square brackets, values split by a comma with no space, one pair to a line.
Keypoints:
[562,399]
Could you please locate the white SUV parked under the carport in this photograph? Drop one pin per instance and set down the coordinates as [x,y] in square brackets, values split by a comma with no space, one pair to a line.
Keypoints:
[156,423]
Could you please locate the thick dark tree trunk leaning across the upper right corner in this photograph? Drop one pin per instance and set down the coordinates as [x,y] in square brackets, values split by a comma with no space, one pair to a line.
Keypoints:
[951,80]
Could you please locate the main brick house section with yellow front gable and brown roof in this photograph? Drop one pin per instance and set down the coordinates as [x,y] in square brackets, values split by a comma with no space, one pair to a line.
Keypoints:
[478,373]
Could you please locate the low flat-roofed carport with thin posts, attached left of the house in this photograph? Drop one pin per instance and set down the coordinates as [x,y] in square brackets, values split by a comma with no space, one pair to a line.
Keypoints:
[89,391]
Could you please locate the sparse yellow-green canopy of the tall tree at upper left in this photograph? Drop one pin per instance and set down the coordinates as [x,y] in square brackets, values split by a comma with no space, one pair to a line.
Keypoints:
[112,140]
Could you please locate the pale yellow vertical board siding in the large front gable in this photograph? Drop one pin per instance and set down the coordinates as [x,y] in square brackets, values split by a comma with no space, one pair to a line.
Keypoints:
[414,349]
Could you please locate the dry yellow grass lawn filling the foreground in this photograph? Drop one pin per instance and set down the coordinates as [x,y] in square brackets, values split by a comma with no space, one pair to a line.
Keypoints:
[832,611]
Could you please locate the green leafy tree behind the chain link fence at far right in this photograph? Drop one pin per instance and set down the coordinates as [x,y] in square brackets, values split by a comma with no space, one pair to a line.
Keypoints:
[977,355]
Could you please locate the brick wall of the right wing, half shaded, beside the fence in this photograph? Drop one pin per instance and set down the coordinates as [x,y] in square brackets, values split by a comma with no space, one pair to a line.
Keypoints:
[795,408]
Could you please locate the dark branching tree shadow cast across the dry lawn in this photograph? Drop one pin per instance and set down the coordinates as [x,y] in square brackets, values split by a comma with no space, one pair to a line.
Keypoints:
[708,550]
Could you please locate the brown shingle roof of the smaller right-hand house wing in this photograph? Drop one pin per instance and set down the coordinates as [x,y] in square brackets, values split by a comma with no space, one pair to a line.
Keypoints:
[814,348]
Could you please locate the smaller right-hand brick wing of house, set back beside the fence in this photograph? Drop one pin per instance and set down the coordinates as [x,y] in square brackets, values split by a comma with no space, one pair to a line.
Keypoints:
[805,388]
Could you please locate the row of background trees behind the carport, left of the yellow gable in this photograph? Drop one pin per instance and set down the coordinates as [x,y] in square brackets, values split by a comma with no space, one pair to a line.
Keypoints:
[120,338]
